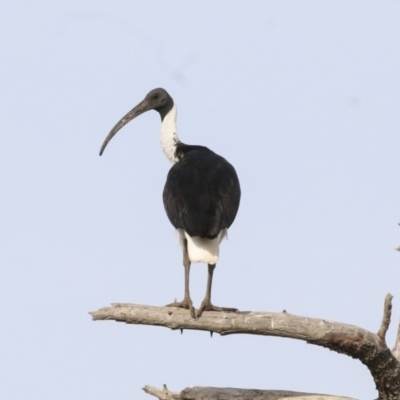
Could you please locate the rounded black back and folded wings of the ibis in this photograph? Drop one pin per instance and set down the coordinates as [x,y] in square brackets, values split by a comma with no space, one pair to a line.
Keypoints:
[202,193]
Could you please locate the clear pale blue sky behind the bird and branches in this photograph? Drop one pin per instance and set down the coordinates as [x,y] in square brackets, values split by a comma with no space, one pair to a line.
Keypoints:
[301,97]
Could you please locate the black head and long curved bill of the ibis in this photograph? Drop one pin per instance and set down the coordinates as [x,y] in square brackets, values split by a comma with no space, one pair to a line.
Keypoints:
[157,99]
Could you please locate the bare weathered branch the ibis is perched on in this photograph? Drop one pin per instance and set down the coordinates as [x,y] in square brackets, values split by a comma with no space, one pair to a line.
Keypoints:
[368,347]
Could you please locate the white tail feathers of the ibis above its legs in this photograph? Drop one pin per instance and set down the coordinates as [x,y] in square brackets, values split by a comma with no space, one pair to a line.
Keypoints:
[202,250]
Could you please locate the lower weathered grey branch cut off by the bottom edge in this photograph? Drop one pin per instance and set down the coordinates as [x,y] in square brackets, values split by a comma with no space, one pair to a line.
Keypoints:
[211,393]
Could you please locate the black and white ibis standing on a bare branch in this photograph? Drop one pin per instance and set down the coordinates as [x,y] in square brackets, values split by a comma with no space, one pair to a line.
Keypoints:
[201,195]
